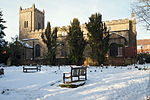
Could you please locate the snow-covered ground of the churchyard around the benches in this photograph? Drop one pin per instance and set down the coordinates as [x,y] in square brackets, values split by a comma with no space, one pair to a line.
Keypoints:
[120,83]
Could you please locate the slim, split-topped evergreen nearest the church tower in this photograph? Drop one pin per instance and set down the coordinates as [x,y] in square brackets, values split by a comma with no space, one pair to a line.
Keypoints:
[49,38]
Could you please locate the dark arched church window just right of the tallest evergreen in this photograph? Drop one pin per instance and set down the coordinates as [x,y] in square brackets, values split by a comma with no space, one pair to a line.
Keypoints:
[113,50]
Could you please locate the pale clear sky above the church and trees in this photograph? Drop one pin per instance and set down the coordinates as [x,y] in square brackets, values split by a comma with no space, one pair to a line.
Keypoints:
[61,12]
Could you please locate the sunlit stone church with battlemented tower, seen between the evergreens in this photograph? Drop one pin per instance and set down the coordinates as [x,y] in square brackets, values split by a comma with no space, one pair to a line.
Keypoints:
[122,39]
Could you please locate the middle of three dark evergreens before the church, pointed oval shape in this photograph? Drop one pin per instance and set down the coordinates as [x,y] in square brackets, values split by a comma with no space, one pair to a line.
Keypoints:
[76,43]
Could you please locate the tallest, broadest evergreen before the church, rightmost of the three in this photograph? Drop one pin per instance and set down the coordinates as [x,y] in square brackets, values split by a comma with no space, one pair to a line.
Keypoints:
[98,37]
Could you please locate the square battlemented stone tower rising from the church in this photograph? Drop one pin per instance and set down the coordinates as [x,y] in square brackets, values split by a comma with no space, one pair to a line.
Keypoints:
[30,19]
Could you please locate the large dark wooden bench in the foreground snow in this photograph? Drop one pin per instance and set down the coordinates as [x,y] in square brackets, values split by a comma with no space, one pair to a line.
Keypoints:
[80,73]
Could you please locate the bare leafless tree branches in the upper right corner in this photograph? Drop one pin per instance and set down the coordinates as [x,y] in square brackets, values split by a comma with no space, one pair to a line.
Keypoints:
[142,11]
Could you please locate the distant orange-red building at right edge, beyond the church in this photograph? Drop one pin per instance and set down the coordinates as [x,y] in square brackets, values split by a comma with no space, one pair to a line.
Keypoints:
[143,46]
